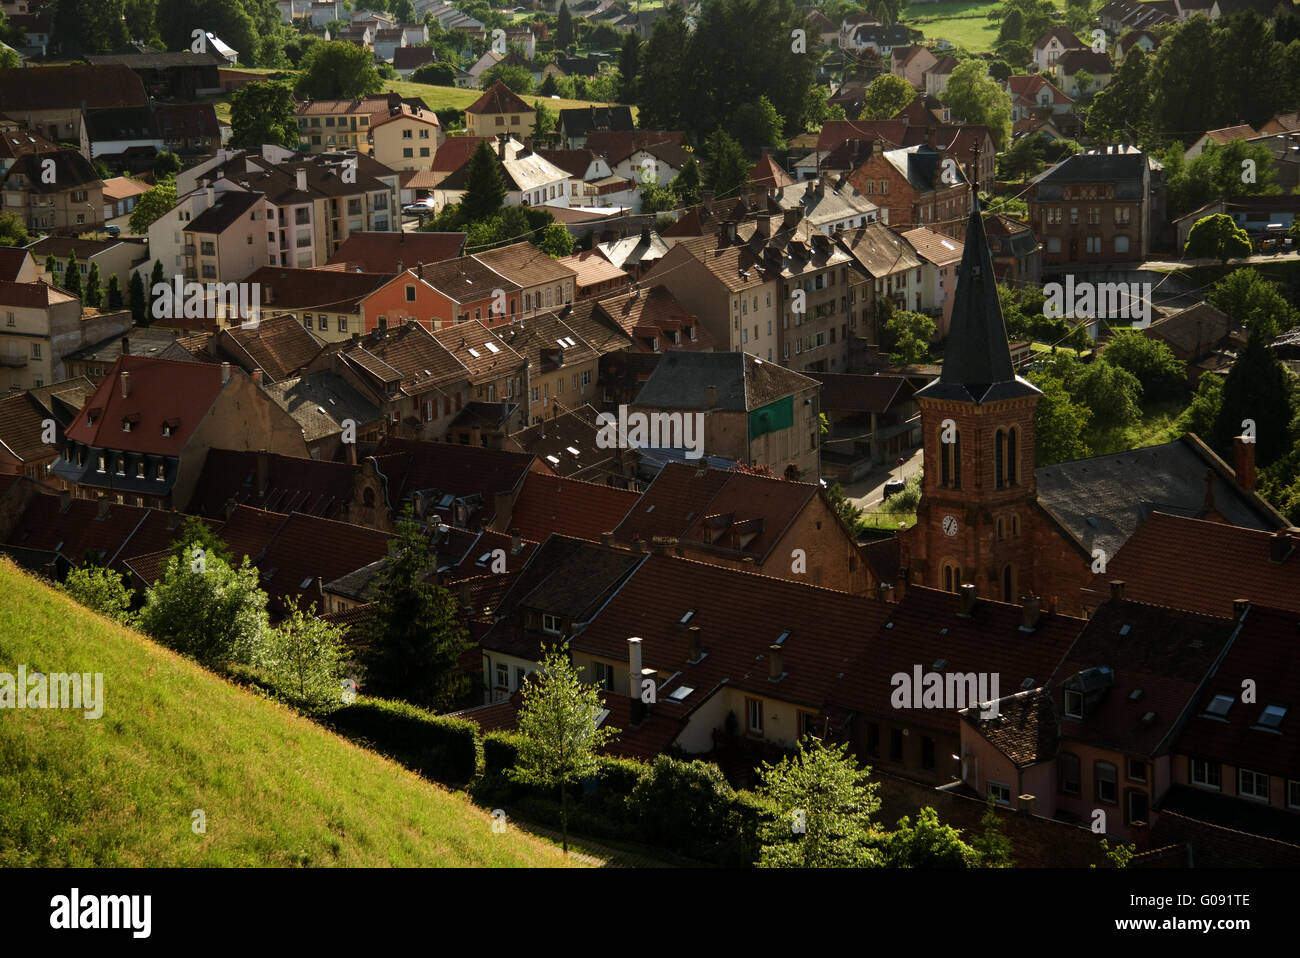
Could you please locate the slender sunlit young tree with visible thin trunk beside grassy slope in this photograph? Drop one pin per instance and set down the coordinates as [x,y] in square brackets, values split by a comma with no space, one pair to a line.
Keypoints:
[558,730]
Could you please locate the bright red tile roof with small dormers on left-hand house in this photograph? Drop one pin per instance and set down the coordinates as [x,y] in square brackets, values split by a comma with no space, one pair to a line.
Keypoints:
[162,392]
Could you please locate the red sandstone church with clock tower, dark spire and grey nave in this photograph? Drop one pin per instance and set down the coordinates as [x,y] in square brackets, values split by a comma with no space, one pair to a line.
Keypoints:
[989,518]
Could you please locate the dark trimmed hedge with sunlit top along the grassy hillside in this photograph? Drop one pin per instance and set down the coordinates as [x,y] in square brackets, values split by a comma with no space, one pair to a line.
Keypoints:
[436,747]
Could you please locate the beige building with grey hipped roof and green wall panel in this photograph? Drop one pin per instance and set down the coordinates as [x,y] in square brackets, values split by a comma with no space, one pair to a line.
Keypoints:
[751,411]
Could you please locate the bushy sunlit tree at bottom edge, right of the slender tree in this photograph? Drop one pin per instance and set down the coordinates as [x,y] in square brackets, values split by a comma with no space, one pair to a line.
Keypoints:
[824,805]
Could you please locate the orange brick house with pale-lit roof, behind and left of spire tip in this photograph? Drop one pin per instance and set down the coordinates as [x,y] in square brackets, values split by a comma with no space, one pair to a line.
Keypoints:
[918,187]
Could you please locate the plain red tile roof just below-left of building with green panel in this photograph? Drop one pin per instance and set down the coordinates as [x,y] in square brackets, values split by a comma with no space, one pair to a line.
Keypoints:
[570,508]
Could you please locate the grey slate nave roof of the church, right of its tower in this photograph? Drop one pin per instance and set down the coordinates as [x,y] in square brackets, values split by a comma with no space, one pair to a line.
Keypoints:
[1103,501]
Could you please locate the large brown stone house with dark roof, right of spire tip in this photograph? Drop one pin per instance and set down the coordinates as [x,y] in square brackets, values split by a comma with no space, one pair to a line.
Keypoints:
[1098,207]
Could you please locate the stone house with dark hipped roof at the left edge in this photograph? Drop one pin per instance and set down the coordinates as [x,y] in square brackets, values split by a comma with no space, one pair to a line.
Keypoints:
[55,193]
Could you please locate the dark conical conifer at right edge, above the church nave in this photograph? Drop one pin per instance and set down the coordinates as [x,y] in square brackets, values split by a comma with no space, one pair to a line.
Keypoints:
[1256,389]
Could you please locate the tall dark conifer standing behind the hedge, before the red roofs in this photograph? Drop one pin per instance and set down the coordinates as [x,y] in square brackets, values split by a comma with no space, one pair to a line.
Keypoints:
[415,635]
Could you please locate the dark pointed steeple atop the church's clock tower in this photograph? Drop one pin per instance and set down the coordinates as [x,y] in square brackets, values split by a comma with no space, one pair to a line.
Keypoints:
[977,358]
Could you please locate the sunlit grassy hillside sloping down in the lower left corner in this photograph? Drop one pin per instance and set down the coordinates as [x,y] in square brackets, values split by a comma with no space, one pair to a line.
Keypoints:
[276,790]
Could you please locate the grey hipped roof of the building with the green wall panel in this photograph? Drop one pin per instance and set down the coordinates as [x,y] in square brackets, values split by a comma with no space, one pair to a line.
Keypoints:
[744,383]
